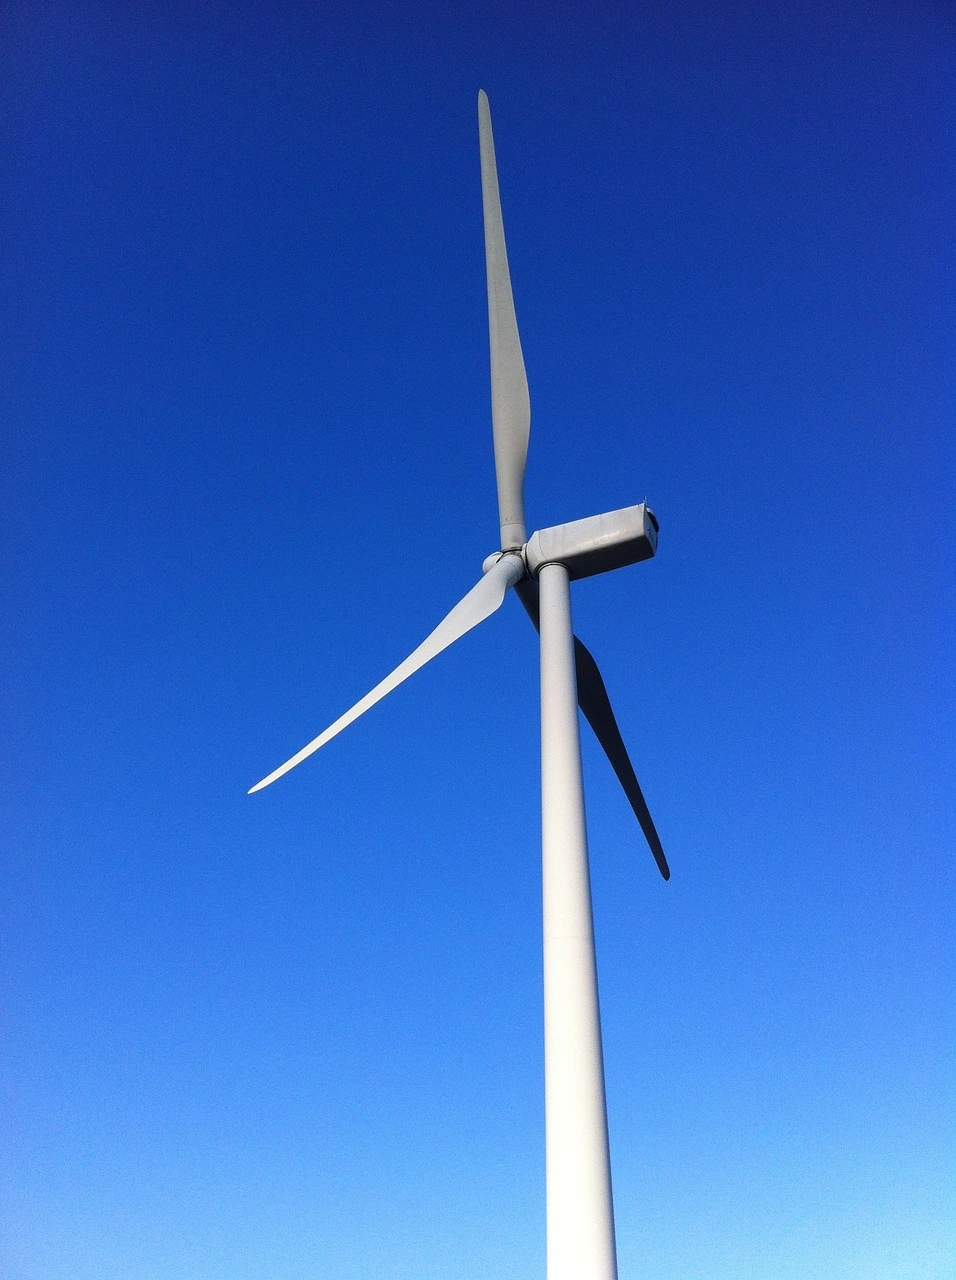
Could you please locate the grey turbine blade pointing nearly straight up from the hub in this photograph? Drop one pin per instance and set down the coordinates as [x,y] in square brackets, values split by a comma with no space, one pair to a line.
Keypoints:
[511,408]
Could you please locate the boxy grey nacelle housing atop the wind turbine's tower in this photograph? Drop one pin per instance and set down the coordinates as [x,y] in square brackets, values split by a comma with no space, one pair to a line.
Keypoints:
[596,545]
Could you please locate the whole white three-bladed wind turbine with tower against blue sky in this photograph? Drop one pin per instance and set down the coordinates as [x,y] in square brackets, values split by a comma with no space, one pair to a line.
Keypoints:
[580,1217]
